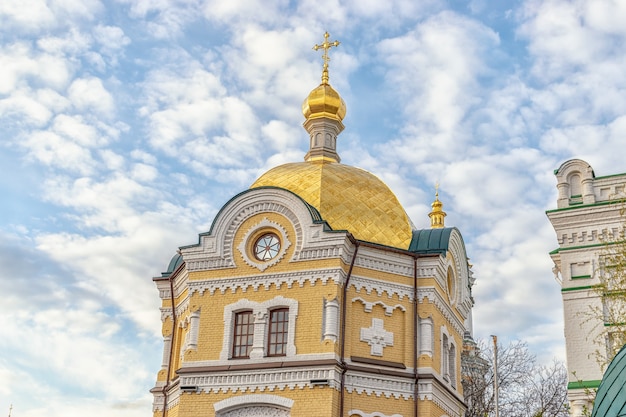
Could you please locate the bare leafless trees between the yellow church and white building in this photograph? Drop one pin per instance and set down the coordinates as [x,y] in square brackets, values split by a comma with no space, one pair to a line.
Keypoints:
[526,389]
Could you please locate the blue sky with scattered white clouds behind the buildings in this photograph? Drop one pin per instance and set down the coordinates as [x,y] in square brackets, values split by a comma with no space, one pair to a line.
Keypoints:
[125,125]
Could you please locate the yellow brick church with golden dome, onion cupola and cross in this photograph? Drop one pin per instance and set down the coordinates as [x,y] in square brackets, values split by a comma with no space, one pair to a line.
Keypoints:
[312,294]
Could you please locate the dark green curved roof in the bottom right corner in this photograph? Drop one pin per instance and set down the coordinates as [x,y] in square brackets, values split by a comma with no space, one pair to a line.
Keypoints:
[610,399]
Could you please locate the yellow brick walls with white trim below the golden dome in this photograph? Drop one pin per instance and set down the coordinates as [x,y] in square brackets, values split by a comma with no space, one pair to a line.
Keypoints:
[359,321]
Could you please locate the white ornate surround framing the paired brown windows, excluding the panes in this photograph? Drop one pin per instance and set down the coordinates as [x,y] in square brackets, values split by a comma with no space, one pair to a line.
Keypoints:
[260,312]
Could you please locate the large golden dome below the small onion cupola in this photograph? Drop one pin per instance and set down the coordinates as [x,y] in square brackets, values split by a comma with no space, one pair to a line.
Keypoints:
[348,198]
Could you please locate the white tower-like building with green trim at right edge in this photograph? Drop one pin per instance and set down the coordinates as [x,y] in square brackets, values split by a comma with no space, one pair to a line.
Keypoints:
[588,216]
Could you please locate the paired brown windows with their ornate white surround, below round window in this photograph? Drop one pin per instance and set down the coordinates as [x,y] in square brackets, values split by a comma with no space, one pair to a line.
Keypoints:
[255,330]
